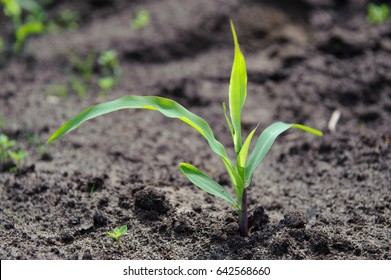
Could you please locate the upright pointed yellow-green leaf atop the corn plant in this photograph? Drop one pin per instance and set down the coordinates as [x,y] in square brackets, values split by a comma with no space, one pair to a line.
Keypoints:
[237,91]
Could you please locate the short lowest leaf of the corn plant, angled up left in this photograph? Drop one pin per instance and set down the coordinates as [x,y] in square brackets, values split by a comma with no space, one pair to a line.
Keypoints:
[205,183]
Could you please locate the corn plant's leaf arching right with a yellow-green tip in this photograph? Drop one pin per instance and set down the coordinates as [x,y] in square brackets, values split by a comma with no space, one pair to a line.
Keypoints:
[265,142]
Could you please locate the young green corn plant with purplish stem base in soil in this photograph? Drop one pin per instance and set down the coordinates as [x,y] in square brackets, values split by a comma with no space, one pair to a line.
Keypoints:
[242,169]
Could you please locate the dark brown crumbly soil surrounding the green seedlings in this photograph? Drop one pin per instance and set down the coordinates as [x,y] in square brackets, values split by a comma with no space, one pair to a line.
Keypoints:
[311,198]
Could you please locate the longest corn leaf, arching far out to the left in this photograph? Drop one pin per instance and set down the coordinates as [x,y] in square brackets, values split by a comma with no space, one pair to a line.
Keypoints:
[165,106]
